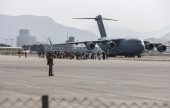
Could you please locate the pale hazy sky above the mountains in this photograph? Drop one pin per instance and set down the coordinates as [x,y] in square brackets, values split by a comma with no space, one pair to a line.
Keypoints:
[141,15]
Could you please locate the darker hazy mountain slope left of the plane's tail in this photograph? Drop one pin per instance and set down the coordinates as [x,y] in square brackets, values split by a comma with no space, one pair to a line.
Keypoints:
[41,27]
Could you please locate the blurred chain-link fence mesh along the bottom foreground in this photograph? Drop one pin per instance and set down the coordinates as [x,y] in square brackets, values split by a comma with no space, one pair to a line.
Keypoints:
[46,102]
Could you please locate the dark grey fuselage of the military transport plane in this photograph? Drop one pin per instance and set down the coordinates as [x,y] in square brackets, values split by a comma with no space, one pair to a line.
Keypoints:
[124,47]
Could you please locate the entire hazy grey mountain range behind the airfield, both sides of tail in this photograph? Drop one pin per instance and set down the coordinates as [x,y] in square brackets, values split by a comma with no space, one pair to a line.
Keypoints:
[43,27]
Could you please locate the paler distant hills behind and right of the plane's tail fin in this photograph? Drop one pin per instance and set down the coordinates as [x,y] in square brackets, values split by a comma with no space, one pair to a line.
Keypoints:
[118,32]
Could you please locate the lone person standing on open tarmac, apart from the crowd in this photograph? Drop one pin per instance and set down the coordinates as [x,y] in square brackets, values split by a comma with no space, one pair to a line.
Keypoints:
[50,63]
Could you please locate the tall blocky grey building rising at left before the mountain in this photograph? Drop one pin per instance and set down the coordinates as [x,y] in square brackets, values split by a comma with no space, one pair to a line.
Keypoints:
[25,38]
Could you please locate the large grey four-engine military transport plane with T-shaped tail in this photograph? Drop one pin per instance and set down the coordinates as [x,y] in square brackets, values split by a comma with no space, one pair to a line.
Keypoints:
[123,47]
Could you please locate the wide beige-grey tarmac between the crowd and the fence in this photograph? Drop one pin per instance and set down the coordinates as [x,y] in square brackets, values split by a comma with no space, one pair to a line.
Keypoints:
[114,79]
